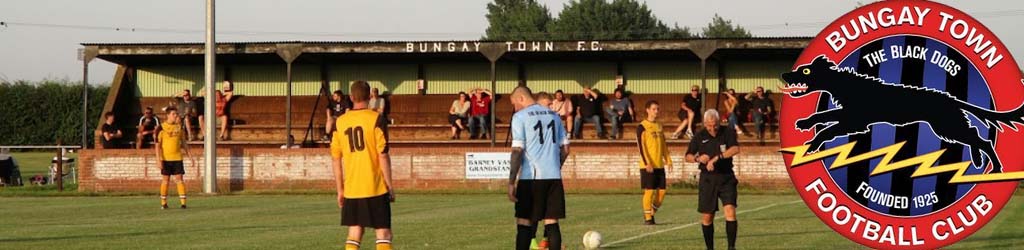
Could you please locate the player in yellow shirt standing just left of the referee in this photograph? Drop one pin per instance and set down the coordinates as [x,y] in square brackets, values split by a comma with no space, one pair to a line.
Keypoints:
[654,158]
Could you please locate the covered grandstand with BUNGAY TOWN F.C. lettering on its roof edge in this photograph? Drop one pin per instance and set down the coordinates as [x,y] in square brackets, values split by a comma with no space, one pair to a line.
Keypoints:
[420,79]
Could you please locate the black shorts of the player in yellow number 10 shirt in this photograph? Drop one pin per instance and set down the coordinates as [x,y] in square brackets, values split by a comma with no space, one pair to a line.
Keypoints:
[368,213]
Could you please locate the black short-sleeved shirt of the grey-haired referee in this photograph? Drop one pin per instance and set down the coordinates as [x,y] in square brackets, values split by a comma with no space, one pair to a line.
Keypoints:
[704,144]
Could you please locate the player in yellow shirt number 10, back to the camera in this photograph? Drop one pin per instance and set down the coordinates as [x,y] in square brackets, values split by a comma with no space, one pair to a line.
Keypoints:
[363,171]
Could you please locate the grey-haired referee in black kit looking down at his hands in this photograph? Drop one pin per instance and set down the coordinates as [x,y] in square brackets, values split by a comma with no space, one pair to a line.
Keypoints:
[713,150]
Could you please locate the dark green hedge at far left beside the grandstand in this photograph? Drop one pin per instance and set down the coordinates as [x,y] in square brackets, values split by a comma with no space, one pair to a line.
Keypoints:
[40,113]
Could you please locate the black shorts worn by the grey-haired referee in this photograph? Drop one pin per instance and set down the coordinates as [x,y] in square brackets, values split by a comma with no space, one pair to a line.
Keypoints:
[713,188]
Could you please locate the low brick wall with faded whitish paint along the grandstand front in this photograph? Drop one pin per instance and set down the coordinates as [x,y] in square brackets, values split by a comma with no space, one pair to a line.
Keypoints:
[306,165]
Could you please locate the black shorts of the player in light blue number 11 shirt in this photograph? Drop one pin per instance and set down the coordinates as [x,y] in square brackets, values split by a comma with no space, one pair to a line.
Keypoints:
[540,199]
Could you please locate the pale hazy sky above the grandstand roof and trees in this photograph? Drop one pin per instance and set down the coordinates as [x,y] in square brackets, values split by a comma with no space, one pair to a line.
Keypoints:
[41,38]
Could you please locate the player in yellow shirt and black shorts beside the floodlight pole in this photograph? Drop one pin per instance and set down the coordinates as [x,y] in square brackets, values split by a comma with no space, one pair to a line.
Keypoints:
[170,144]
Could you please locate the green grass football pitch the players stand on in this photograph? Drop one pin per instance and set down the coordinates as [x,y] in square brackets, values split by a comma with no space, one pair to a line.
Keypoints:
[421,222]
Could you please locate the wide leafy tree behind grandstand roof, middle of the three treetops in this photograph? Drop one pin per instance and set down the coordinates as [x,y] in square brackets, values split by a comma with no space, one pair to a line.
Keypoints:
[620,20]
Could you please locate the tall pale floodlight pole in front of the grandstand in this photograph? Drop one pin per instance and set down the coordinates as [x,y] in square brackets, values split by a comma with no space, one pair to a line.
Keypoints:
[209,143]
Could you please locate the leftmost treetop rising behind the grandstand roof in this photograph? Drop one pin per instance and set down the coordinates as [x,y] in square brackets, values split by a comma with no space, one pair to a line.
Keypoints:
[518,20]
